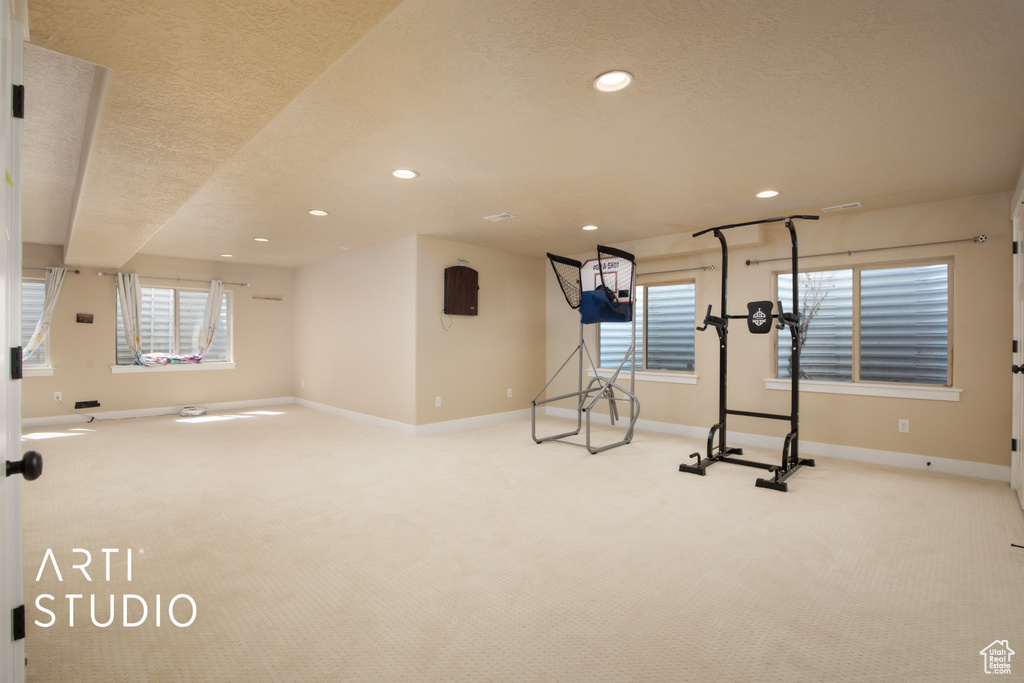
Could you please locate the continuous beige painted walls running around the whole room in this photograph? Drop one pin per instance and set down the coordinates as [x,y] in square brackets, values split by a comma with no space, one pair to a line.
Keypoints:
[364,332]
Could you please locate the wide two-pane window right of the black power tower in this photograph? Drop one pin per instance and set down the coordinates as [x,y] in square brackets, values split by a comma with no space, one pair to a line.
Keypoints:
[874,324]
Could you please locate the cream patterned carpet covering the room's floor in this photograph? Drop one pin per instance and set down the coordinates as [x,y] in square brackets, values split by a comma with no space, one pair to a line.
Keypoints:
[288,545]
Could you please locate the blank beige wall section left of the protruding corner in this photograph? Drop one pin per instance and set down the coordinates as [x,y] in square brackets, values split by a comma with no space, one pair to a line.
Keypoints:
[356,332]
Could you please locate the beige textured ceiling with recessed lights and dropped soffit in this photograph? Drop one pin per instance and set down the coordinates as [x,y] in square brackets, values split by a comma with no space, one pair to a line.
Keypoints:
[223,122]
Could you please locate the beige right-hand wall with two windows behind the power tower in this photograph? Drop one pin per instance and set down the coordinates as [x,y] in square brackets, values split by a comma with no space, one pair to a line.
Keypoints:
[977,429]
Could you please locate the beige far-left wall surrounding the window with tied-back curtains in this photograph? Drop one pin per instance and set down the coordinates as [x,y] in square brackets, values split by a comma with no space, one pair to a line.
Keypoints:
[82,355]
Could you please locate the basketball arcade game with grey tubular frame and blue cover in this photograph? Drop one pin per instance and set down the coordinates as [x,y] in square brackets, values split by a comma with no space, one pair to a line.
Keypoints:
[604,290]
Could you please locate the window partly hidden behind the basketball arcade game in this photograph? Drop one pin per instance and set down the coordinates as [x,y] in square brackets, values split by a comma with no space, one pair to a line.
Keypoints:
[665,318]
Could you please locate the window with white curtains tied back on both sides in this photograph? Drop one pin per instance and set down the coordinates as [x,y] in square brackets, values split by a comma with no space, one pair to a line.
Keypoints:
[170,325]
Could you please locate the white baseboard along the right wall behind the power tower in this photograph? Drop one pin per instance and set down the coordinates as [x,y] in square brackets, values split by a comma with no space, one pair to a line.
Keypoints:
[875,457]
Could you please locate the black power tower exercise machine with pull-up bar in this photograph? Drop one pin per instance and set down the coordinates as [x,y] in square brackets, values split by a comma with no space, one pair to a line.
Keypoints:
[759,317]
